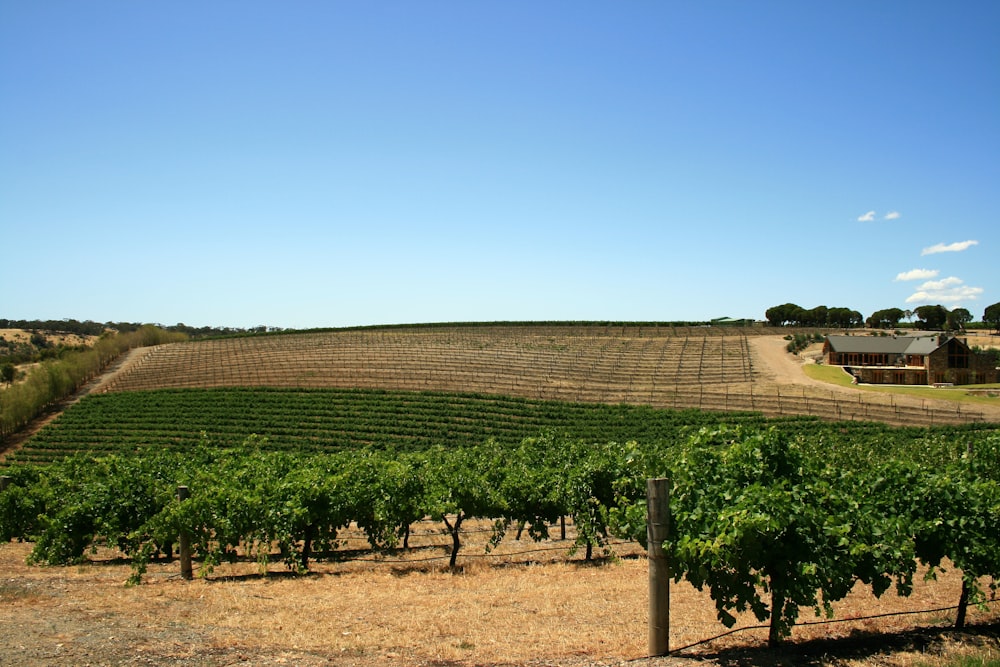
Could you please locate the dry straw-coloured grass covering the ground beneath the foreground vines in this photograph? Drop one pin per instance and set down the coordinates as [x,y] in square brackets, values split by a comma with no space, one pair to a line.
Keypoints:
[515,608]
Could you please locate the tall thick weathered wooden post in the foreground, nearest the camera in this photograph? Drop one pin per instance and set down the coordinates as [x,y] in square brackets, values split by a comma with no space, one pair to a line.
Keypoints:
[657,530]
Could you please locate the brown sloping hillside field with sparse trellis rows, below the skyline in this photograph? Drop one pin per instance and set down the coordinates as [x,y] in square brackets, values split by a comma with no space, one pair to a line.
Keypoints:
[663,367]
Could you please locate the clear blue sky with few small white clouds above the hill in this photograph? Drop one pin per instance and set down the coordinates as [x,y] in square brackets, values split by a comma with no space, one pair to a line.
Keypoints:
[311,164]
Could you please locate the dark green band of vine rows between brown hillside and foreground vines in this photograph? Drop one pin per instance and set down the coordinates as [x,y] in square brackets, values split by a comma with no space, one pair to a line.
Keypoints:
[327,420]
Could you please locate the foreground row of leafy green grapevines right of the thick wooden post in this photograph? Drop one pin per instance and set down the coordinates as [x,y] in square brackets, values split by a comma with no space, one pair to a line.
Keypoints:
[770,523]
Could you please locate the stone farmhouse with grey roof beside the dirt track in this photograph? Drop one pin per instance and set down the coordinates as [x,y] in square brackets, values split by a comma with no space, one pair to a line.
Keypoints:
[922,359]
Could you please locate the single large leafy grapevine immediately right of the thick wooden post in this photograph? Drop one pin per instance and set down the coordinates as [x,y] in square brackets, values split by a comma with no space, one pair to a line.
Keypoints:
[757,515]
